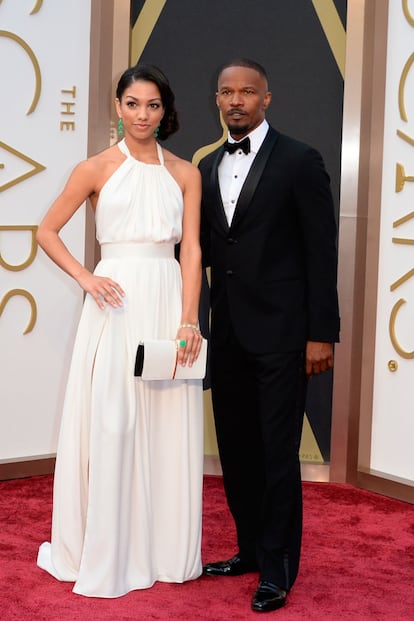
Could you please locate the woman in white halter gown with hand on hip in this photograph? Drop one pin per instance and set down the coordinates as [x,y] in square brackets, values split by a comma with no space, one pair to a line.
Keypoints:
[128,478]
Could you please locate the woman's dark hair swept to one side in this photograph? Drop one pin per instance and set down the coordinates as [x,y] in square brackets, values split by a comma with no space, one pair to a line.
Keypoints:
[150,73]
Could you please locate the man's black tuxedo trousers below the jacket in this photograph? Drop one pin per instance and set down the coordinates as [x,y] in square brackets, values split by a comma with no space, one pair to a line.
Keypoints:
[258,403]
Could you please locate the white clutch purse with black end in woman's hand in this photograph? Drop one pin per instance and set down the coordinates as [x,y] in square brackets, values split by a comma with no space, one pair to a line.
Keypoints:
[158,360]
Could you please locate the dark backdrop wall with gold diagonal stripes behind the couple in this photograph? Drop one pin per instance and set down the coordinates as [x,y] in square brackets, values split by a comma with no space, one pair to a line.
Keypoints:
[302,46]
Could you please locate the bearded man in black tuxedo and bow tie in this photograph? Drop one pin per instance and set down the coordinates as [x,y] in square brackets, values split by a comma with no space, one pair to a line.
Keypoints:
[269,236]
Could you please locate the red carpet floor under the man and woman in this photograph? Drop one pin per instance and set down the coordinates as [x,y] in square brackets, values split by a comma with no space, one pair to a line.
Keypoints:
[357,564]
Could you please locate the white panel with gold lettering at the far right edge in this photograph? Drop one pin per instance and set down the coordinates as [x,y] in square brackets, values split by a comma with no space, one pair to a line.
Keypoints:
[392,421]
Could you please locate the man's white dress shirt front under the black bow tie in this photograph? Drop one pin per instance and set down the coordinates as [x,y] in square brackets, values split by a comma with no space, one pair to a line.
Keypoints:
[234,168]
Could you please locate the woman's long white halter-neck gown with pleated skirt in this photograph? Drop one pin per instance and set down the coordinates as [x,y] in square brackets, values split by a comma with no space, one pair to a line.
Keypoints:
[128,478]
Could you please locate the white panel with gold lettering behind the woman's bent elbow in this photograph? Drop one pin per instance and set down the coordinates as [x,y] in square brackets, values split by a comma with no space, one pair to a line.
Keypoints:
[44,121]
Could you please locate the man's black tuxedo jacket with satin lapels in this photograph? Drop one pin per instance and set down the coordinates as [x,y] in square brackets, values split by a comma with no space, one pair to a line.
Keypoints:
[273,270]
